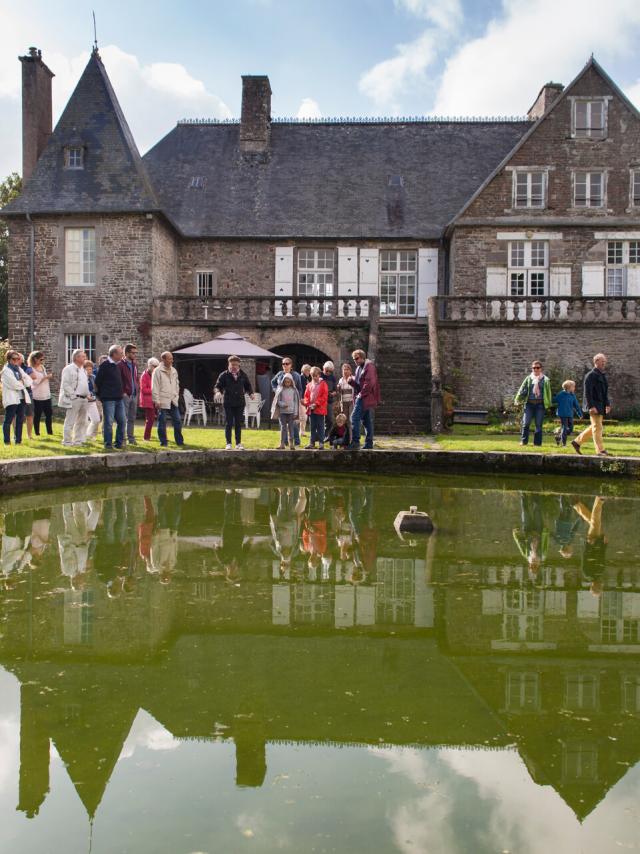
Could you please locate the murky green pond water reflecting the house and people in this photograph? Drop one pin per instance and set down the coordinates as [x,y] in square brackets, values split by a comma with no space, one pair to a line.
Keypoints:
[266,667]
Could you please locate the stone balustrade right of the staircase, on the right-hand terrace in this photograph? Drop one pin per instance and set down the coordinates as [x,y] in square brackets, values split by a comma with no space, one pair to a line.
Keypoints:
[491,309]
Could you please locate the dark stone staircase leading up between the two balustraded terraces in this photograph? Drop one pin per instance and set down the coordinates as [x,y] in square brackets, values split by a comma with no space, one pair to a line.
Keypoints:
[404,371]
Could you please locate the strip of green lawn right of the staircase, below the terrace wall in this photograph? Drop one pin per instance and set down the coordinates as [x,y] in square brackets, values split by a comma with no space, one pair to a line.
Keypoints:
[621,439]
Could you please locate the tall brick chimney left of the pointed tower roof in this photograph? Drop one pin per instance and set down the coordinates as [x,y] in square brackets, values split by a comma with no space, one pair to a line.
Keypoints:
[36,109]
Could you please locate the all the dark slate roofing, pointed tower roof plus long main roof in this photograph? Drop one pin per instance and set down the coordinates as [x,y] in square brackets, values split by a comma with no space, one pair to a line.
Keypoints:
[318,180]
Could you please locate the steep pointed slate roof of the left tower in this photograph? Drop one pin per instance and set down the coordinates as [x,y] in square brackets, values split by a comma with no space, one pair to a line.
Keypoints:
[113,178]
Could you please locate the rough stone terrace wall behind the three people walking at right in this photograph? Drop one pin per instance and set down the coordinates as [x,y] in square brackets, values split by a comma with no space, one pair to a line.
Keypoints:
[487,363]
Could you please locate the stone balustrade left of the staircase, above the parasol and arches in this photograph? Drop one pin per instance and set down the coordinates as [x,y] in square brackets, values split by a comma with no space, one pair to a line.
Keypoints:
[214,310]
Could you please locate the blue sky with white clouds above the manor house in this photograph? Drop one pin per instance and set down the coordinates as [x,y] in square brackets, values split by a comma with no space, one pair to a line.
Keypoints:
[331,58]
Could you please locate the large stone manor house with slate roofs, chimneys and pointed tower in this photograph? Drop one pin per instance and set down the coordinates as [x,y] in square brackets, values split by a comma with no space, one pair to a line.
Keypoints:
[466,246]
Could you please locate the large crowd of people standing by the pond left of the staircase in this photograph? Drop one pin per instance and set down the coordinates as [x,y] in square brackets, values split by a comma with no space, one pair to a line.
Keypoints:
[338,409]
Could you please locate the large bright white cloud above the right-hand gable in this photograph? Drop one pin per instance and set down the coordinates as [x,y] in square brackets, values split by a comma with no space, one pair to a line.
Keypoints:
[533,41]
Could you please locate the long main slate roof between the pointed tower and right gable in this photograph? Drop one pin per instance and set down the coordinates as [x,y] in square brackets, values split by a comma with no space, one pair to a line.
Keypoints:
[326,180]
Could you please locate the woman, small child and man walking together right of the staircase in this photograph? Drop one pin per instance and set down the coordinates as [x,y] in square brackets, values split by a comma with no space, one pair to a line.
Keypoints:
[536,395]
